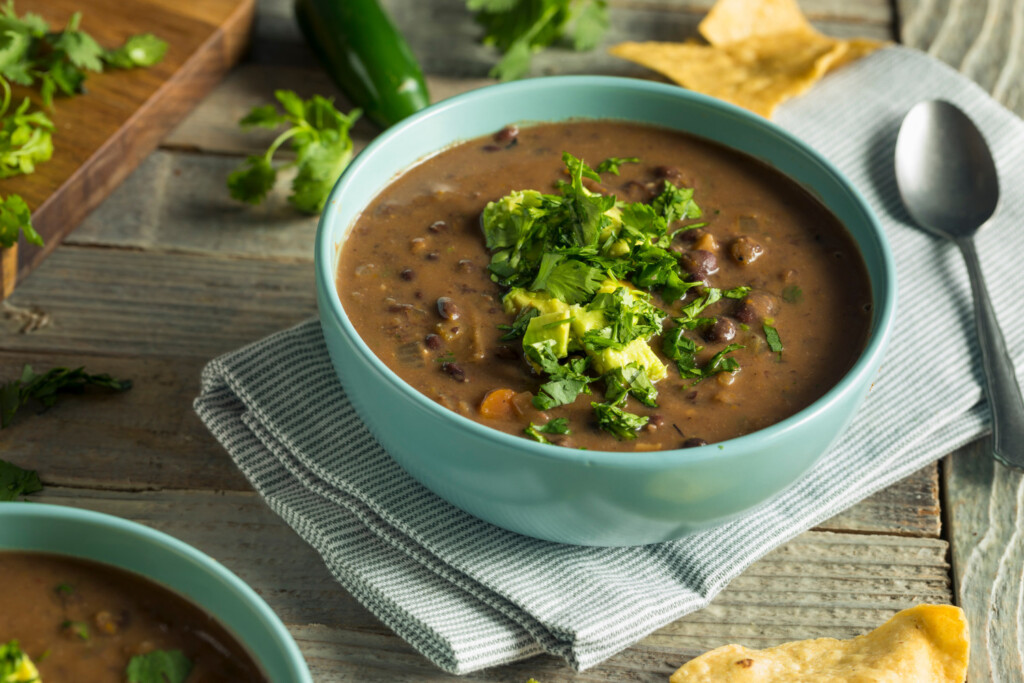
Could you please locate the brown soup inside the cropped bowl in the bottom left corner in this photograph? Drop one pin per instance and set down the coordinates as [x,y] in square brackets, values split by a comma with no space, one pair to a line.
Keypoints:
[81,621]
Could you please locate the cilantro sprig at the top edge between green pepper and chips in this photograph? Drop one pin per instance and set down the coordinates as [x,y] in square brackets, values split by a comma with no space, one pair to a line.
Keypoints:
[521,28]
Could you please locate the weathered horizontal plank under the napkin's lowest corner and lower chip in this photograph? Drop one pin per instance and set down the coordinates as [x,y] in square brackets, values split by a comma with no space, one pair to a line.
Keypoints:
[820,585]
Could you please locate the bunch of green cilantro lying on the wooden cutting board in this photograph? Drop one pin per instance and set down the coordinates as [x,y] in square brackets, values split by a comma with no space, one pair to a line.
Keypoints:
[35,55]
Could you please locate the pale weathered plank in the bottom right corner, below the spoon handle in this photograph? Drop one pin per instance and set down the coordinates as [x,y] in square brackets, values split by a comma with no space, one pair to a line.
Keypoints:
[986,508]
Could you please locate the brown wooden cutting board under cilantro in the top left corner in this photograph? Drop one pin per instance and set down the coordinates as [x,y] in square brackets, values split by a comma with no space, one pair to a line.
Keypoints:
[103,136]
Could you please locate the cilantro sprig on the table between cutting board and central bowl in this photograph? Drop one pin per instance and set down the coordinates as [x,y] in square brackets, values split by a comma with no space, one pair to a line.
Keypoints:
[320,139]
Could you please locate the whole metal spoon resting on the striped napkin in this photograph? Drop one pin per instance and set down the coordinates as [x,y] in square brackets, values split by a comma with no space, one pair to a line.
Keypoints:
[948,180]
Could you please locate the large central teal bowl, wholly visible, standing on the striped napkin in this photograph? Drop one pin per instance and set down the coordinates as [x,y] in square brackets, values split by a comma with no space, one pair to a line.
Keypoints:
[588,497]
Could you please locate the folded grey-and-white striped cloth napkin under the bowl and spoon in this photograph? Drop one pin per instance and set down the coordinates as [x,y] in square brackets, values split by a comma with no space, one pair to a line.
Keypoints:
[470,595]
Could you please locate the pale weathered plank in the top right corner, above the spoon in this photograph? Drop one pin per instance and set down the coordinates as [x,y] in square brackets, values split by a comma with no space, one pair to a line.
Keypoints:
[985,39]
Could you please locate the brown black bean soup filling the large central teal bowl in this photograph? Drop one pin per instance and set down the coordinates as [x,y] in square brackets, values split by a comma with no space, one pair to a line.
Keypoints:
[789,314]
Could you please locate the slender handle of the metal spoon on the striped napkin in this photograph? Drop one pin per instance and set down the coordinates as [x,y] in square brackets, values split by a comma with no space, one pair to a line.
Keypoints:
[1004,392]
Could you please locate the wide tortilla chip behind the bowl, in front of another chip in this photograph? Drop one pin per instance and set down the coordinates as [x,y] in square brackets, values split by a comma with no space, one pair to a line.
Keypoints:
[757,74]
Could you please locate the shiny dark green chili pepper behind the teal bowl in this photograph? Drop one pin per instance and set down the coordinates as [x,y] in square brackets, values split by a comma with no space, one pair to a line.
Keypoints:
[366,56]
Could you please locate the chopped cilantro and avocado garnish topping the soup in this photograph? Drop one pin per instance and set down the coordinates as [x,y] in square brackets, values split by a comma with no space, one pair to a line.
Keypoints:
[581,269]
